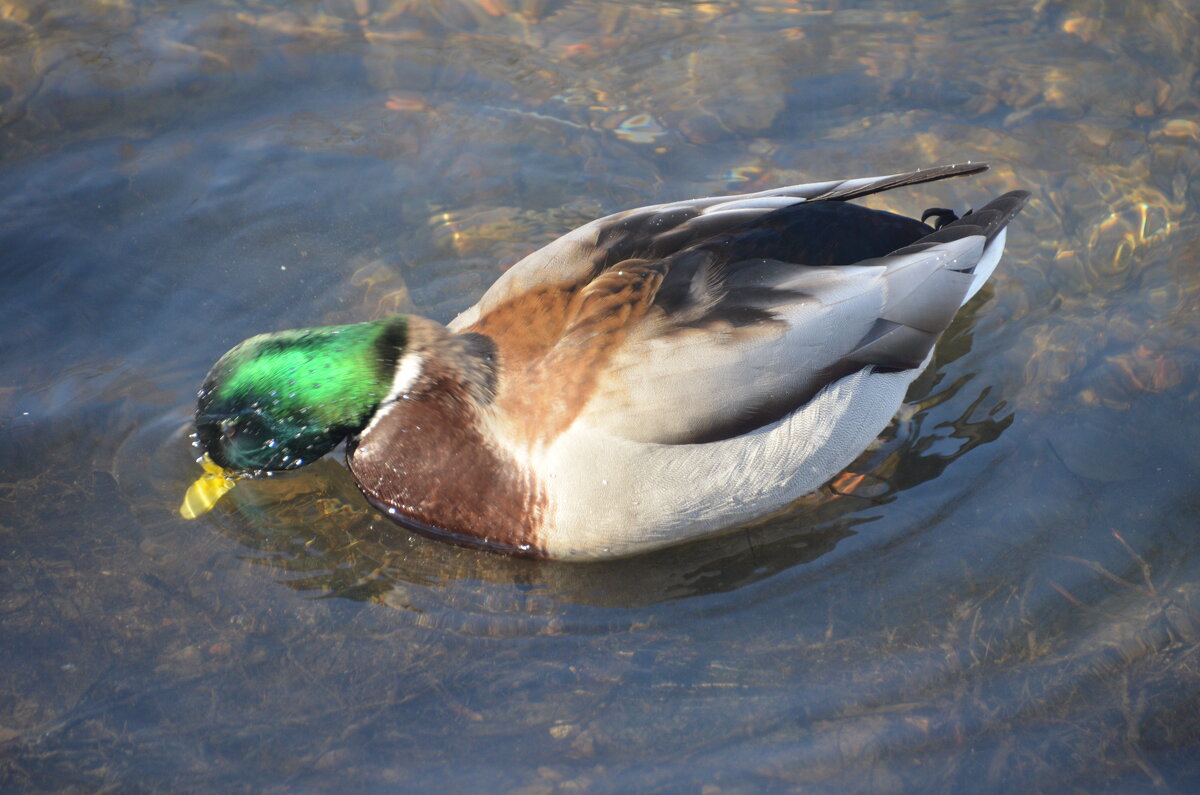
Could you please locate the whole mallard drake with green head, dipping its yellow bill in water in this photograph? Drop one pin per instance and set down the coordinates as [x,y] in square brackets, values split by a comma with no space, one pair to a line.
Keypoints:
[652,378]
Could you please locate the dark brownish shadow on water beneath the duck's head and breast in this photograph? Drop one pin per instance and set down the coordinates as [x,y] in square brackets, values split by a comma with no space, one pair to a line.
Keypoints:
[319,528]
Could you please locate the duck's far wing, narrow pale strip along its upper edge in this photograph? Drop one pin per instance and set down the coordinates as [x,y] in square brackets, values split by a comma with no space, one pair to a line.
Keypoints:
[659,231]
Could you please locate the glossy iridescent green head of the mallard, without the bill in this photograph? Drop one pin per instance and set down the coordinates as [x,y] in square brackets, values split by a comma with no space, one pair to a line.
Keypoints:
[279,402]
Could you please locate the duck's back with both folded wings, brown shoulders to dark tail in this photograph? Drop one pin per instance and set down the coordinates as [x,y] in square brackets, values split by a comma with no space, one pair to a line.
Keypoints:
[700,321]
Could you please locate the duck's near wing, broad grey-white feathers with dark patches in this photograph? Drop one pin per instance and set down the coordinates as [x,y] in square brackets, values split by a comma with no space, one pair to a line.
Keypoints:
[745,330]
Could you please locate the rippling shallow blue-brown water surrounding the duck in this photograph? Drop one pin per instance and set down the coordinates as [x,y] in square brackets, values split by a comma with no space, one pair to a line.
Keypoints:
[1009,601]
